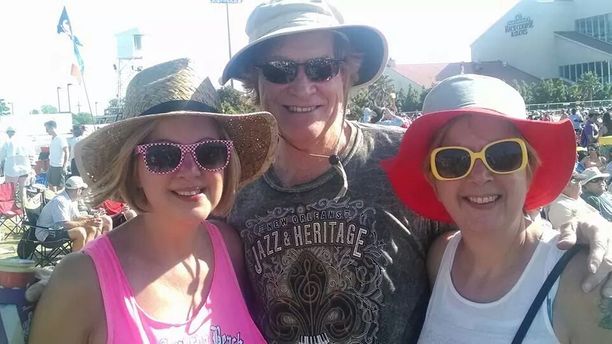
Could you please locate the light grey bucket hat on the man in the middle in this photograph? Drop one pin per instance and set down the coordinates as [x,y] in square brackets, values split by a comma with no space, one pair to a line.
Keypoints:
[276,18]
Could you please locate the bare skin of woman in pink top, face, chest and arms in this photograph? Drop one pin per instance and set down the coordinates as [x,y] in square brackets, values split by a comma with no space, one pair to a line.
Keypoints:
[165,252]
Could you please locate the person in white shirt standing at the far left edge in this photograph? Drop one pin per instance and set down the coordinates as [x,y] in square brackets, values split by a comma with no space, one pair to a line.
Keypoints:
[16,156]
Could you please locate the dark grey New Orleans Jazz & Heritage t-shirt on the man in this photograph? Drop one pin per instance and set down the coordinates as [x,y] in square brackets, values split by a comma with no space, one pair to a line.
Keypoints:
[346,271]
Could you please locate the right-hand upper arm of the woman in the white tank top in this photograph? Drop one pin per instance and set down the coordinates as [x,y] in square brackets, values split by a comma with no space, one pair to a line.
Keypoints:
[581,317]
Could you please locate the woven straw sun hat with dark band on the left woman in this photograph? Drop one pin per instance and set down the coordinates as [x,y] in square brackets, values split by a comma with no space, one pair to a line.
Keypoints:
[173,89]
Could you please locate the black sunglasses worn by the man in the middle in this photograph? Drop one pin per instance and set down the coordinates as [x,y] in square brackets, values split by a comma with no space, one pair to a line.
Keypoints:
[285,71]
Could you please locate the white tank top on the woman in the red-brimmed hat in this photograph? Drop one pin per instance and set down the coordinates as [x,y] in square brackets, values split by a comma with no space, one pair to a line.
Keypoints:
[452,318]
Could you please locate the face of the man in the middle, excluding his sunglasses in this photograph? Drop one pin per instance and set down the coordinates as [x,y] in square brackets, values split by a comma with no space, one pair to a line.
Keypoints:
[308,113]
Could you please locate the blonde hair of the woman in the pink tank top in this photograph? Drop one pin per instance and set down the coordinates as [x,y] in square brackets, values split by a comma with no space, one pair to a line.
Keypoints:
[119,181]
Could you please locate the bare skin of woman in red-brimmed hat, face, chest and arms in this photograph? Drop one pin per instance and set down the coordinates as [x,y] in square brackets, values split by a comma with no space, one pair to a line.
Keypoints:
[497,242]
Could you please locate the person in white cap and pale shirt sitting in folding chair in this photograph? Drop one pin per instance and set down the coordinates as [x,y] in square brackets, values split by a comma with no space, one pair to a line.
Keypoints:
[61,218]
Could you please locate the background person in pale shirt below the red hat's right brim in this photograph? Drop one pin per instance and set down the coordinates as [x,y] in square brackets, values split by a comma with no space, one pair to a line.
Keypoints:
[569,205]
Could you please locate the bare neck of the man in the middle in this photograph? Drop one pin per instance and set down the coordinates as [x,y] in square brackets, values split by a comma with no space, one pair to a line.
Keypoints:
[294,166]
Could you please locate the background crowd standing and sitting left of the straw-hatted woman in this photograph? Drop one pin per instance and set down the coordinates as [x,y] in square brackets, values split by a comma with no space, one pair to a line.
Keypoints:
[64,213]
